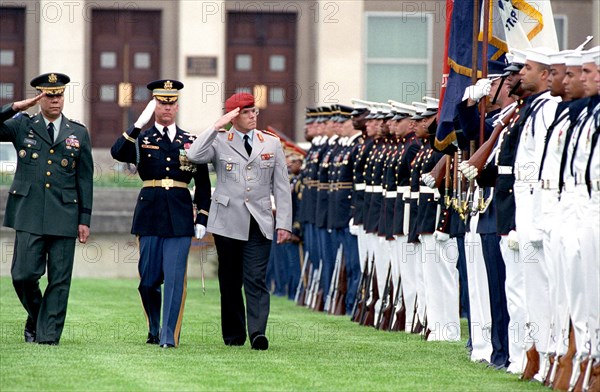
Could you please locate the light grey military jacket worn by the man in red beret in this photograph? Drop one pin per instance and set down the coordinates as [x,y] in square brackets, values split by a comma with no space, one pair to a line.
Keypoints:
[245,183]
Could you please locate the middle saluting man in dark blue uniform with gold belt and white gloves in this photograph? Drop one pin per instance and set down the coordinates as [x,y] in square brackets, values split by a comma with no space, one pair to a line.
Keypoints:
[164,215]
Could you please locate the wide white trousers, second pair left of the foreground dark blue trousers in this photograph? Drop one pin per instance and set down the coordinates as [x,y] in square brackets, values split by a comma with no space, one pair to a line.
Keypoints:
[441,288]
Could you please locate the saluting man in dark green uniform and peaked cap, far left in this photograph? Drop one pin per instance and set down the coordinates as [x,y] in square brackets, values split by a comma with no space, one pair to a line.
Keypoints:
[49,203]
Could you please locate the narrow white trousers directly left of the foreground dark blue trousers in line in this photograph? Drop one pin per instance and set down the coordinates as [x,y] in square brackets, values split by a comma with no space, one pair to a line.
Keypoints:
[479,296]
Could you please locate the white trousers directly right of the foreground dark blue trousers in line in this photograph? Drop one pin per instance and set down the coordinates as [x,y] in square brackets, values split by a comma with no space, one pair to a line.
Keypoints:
[515,299]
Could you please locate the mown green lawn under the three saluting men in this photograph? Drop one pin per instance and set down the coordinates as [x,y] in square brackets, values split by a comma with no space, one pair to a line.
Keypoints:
[103,348]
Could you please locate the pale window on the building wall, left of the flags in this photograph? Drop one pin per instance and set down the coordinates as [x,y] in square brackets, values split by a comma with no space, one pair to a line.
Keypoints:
[398,63]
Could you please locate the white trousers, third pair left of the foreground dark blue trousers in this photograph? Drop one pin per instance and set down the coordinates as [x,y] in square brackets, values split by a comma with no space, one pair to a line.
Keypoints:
[408,266]
